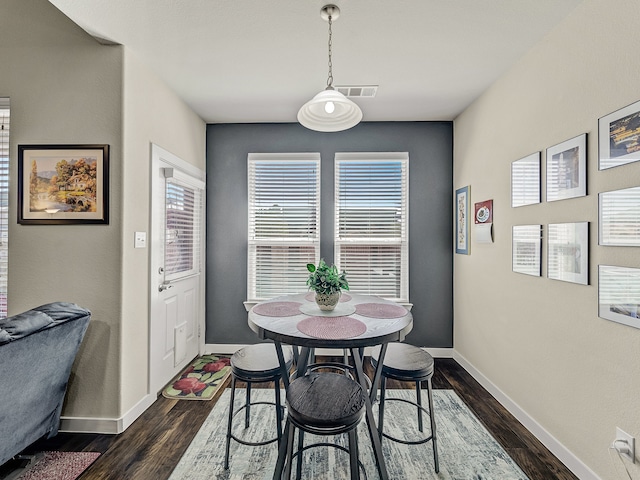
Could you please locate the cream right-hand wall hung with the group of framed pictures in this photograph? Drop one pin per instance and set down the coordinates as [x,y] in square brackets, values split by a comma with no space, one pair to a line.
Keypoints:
[540,341]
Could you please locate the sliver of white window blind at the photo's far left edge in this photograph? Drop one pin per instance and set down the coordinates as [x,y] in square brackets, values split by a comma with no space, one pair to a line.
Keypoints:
[4,202]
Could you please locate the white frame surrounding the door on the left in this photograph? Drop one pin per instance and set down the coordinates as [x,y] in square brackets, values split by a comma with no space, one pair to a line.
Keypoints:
[158,156]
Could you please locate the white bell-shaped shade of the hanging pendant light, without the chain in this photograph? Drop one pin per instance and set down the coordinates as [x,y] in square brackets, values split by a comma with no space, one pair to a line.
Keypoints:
[329,111]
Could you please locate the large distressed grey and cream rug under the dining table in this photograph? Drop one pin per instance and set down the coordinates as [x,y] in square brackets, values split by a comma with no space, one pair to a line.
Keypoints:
[466,449]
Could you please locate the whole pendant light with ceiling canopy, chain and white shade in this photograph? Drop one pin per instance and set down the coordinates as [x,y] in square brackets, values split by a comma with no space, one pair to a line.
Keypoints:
[329,110]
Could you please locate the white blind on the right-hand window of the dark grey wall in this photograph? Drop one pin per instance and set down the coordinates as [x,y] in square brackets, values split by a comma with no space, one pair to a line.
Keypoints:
[371,222]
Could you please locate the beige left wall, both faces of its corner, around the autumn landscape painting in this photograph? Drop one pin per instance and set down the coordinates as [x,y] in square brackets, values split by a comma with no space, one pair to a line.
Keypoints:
[66,88]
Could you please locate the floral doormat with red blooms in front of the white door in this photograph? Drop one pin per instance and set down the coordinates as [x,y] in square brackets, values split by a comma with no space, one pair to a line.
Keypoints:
[200,380]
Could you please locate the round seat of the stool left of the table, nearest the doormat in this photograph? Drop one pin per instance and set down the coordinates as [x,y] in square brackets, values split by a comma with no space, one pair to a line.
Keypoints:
[258,361]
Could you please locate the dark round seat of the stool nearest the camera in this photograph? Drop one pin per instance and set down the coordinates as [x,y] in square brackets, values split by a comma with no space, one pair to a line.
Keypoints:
[325,400]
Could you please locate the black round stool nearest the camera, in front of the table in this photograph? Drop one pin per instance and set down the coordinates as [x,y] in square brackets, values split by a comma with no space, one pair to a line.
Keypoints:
[323,404]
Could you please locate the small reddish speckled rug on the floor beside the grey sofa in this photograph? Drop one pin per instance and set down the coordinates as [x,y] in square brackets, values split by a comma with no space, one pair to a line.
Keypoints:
[60,466]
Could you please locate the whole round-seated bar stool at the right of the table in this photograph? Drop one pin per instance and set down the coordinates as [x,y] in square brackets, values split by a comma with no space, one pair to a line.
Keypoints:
[407,363]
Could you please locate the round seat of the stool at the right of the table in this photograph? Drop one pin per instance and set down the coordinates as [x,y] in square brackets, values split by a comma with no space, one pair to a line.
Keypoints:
[405,362]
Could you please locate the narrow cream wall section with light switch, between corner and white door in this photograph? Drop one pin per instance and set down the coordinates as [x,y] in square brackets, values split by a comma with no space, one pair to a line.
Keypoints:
[152,114]
